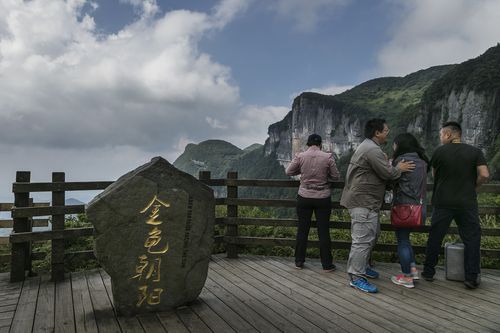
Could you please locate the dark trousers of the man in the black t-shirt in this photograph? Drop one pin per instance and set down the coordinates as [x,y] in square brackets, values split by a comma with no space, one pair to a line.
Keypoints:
[470,231]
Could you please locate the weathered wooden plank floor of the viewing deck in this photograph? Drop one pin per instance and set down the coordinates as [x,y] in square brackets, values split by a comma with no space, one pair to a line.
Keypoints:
[259,294]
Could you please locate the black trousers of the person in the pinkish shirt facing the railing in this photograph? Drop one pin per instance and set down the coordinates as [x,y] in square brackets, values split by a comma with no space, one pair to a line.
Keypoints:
[322,209]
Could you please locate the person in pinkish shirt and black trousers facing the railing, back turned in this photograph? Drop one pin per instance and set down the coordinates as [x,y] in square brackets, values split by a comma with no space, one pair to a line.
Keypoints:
[316,169]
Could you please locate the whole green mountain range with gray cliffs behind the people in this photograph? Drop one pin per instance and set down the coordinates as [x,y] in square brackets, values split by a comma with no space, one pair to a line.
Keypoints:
[418,103]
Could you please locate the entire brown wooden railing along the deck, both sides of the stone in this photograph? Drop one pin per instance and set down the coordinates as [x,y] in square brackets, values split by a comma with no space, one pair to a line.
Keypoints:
[23,211]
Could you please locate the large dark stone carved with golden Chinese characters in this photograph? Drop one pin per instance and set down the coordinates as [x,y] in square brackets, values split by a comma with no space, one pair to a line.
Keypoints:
[154,236]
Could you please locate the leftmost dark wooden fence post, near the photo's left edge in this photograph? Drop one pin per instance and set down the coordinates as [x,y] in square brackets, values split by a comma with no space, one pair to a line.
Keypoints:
[20,252]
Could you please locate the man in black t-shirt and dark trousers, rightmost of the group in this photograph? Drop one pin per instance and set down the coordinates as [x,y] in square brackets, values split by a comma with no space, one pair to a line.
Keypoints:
[458,170]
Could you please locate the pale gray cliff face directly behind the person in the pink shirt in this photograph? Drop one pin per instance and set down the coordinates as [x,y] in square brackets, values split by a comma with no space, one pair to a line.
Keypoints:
[340,128]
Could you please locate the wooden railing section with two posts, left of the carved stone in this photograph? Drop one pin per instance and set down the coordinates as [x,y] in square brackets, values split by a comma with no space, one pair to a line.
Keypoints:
[22,213]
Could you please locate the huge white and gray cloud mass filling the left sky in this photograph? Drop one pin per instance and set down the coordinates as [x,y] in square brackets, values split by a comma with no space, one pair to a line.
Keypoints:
[98,106]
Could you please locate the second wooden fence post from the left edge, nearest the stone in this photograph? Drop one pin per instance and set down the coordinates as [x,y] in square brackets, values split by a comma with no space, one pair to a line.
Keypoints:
[57,260]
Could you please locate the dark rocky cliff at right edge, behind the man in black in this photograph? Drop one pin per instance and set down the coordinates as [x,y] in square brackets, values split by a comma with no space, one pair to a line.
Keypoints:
[469,94]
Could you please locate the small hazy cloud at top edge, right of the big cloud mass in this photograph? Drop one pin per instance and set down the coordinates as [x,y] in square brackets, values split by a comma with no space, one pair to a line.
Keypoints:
[306,15]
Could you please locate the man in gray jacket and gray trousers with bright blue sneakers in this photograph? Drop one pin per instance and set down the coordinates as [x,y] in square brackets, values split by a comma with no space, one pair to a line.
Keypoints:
[363,194]
